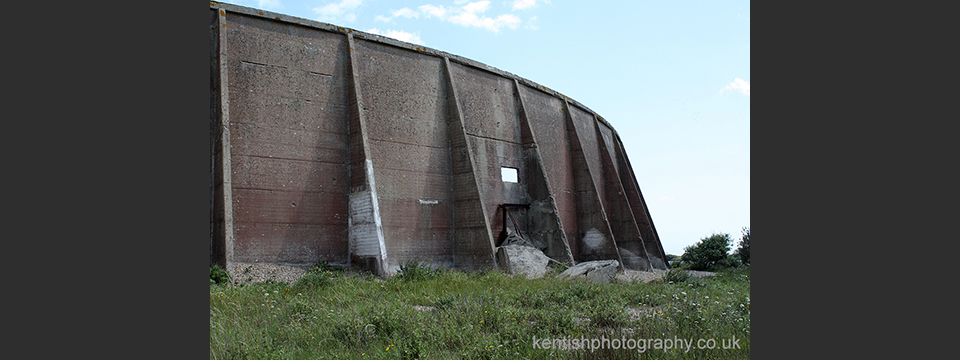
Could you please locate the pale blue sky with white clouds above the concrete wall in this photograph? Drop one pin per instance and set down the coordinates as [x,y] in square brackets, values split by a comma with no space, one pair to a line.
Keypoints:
[672,77]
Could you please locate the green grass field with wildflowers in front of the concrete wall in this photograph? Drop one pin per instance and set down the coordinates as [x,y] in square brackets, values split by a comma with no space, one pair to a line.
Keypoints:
[429,314]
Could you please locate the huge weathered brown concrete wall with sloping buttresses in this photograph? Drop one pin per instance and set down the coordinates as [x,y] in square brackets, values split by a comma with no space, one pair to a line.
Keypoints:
[336,145]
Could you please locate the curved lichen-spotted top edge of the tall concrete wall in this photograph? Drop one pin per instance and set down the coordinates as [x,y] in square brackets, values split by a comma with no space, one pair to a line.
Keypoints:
[405,45]
